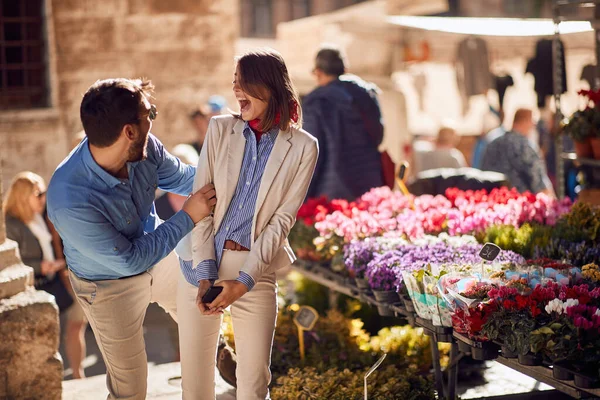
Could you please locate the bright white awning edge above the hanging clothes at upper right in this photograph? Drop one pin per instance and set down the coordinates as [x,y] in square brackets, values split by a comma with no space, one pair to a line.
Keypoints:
[490,26]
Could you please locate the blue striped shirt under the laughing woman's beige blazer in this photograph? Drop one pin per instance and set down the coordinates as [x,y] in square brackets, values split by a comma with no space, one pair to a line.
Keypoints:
[237,223]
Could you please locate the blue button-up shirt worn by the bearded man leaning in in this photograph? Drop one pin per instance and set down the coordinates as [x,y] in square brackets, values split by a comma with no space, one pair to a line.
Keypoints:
[108,225]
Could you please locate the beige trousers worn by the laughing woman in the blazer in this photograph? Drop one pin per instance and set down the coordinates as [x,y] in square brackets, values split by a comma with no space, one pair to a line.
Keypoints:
[253,316]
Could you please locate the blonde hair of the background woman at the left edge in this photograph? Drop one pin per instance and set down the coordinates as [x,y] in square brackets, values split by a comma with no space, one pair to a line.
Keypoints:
[21,188]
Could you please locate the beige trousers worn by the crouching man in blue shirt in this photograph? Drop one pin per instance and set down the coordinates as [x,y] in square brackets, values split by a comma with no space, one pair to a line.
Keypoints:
[116,311]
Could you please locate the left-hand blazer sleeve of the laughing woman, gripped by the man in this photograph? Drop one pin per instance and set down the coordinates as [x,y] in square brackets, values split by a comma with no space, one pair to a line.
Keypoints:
[202,239]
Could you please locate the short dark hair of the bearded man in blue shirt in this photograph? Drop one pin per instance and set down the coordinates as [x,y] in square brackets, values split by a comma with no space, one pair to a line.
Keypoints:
[109,105]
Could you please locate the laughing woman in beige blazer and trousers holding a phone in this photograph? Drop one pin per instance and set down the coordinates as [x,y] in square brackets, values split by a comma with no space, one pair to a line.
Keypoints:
[261,163]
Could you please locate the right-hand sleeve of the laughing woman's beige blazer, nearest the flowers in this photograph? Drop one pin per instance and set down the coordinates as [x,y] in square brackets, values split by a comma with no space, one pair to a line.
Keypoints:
[273,236]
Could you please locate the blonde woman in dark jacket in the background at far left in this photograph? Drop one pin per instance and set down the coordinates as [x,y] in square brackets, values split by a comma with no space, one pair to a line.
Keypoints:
[24,208]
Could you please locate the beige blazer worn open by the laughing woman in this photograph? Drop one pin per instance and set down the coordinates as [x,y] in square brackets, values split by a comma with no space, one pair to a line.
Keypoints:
[282,191]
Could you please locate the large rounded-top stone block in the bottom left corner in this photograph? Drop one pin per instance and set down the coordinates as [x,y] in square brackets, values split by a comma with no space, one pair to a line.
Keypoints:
[30,367]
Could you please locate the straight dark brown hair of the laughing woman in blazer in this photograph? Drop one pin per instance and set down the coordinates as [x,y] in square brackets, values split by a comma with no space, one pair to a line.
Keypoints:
[264,69]
